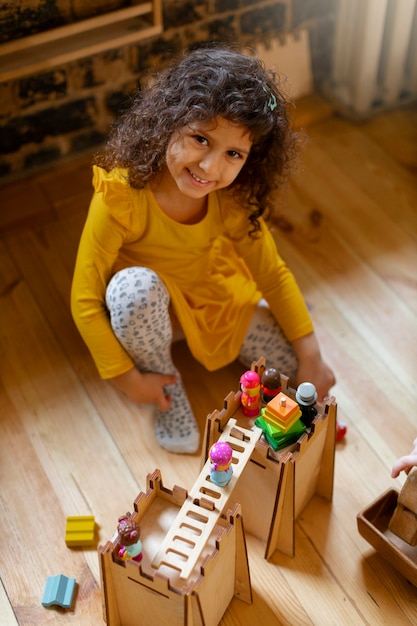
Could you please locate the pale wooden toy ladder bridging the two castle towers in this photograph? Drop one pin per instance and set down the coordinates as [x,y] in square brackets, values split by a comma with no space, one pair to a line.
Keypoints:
[198,516]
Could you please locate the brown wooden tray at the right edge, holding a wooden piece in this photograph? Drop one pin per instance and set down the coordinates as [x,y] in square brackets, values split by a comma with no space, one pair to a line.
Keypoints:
[373,524]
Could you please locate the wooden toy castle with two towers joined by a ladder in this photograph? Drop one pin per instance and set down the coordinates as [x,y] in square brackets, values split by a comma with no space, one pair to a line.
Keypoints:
[194,556]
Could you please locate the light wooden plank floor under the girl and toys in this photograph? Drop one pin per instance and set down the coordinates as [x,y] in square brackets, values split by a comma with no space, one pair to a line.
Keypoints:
[70,445]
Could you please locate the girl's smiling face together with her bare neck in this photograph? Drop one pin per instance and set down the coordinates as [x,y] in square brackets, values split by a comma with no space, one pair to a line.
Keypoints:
[200,158]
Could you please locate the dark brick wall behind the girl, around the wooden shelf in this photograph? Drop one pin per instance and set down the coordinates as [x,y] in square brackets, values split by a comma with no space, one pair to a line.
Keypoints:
[55,114]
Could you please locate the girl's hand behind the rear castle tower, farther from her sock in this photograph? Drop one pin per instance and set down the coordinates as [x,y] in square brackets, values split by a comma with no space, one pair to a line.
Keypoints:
[311,366]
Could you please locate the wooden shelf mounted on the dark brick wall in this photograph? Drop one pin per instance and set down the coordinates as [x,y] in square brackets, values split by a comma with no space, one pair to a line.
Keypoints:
[44,51]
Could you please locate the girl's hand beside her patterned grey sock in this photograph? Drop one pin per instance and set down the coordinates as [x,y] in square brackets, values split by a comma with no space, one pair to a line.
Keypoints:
[145,388]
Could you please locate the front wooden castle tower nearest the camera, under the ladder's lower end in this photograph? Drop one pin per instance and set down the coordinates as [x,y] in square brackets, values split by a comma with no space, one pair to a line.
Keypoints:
[160,595]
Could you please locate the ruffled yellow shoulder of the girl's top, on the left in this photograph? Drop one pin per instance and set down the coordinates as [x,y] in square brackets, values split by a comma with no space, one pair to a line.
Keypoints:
[116,194]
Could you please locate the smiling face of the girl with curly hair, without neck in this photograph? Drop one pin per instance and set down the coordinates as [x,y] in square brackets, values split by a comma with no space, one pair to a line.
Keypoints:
[206,156]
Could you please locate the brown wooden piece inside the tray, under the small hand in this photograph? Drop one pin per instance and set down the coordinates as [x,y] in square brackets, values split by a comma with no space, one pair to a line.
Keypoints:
[404,520]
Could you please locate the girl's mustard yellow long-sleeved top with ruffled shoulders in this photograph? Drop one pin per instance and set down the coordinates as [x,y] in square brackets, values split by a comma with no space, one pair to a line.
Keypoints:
[214,272]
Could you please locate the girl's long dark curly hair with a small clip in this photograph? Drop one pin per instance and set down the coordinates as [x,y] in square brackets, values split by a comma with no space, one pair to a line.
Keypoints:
[204,84]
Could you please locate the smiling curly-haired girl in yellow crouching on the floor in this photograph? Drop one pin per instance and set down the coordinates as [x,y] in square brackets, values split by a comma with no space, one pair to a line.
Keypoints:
[175,241]
